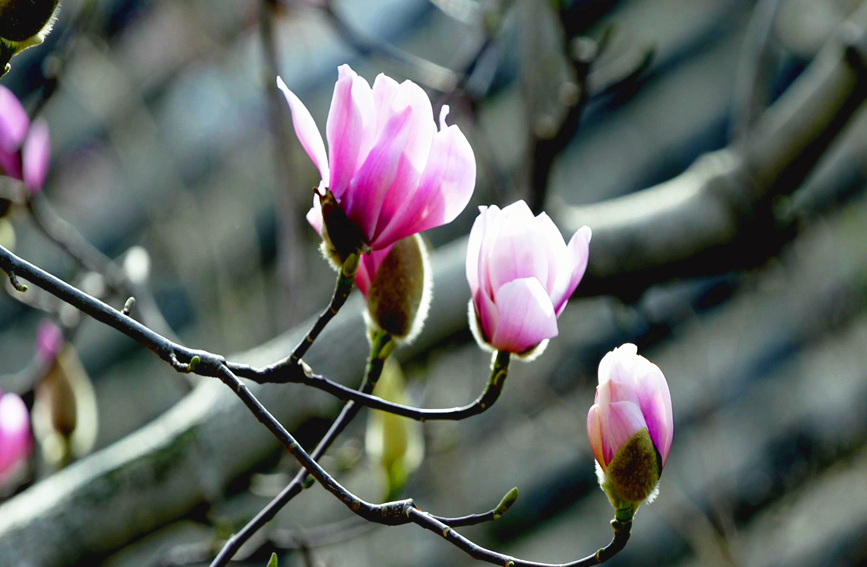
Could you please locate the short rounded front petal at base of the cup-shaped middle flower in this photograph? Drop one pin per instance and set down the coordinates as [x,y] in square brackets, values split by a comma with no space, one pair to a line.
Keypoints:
[526,316]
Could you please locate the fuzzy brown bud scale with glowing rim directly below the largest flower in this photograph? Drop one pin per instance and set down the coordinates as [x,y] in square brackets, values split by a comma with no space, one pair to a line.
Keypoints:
[399,295]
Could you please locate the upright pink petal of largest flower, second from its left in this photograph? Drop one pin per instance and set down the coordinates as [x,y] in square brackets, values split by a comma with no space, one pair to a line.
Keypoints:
[349,130]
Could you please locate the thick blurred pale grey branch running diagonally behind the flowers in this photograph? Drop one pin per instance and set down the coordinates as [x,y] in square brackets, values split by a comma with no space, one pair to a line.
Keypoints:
[182,459]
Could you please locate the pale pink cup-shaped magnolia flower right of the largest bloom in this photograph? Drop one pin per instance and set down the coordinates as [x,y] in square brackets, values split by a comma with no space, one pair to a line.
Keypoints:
[521,274]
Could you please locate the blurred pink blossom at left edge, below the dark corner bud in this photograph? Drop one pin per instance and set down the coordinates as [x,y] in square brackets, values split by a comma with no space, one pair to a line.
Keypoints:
[24,150]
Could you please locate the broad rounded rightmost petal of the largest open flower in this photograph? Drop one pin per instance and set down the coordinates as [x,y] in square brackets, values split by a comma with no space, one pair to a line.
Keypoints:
[444,190]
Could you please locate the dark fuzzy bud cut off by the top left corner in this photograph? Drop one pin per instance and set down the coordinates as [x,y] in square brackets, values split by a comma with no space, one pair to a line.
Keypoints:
[23,24]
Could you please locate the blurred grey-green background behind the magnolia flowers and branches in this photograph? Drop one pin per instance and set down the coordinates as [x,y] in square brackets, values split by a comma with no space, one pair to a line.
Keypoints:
[166,134]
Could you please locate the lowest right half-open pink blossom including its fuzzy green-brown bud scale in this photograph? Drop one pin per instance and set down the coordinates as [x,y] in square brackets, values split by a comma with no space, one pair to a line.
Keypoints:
[630,426]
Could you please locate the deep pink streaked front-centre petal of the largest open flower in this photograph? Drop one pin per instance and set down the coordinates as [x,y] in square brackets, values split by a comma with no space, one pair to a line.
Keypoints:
[382,171]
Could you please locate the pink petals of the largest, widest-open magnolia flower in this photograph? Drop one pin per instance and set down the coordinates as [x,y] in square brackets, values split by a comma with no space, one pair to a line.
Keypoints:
[392,173]
